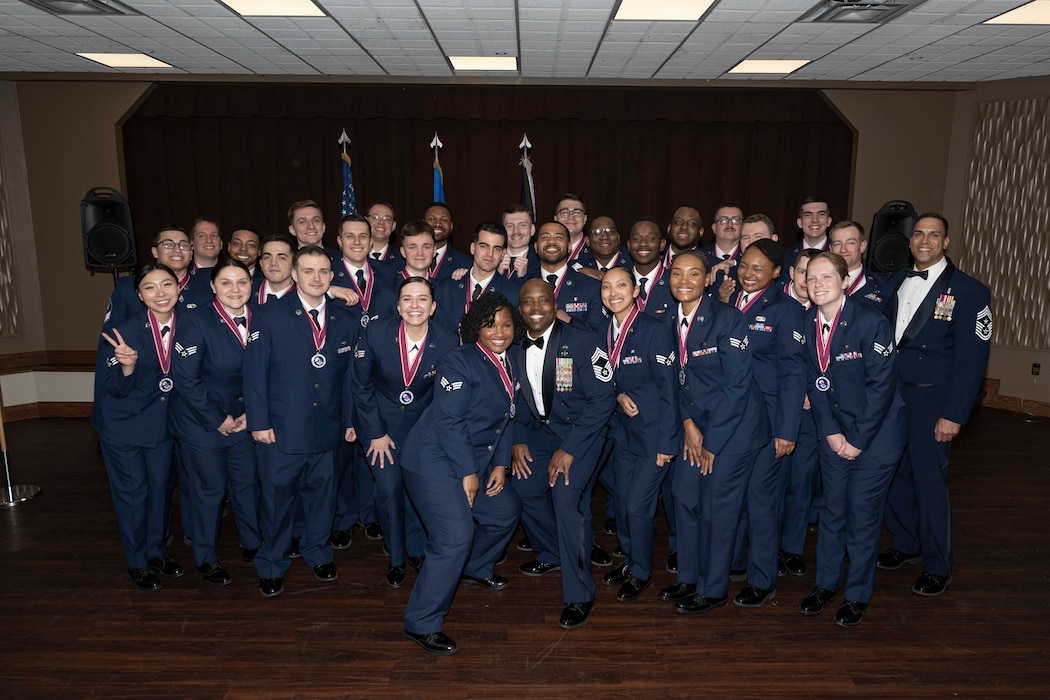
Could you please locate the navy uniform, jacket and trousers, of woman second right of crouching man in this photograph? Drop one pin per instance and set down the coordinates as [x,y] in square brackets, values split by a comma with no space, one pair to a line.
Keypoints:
[724,400]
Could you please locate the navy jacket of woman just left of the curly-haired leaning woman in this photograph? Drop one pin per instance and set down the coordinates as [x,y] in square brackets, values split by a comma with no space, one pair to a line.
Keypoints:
[377,384]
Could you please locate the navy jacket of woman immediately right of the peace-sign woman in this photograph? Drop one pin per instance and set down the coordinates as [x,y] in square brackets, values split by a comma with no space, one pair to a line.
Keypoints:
[207,368]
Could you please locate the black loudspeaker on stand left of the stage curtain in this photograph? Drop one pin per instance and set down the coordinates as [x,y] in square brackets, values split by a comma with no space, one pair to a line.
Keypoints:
[106,221]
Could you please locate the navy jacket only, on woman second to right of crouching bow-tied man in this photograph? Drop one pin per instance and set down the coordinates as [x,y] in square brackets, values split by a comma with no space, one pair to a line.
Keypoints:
[721,393]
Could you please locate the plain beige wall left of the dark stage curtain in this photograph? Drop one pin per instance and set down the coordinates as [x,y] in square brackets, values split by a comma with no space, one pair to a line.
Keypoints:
[70,133]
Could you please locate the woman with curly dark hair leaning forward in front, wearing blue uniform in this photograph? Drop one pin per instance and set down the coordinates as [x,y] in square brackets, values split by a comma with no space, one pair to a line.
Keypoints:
[460,443]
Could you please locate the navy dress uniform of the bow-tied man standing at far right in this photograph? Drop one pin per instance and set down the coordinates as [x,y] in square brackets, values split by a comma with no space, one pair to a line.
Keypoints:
[942,358]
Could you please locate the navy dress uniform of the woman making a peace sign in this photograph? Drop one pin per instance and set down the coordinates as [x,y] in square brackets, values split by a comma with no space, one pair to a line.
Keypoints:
[137,444]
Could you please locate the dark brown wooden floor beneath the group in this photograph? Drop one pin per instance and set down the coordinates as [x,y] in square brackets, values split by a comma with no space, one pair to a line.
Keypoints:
[73,626]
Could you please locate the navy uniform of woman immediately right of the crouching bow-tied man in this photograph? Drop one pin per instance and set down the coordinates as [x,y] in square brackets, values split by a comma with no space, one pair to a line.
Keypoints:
[646,371]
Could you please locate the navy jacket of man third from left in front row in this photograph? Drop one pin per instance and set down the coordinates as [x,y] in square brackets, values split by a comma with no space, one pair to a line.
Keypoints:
[307,408]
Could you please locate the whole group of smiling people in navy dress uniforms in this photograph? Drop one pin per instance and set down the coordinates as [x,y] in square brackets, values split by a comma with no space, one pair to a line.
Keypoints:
[447,399]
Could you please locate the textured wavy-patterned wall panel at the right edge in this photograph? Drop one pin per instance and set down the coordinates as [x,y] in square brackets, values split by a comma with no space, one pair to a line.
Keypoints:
[1006,220]
